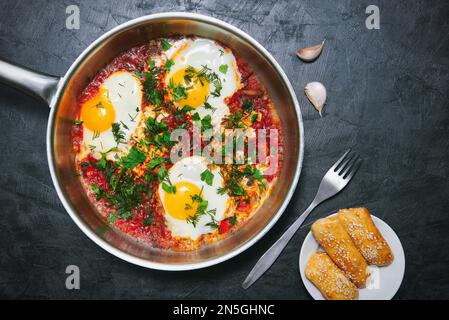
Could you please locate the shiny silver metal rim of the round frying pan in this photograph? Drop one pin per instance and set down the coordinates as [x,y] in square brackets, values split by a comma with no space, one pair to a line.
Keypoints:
[73,212]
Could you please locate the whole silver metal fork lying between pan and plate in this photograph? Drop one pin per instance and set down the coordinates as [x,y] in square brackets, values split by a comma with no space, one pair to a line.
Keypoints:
[333,182]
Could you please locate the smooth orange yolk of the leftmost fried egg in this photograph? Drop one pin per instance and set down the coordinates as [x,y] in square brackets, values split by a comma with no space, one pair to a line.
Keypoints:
[98,113]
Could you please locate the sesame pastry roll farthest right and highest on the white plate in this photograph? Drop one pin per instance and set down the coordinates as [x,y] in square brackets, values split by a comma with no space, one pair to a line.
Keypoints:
[366,237]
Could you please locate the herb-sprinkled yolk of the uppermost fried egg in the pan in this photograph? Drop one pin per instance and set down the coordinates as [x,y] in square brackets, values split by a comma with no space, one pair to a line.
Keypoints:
[197,91]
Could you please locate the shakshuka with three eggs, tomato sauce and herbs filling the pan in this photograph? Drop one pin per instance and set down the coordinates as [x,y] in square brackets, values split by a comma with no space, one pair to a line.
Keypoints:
[123,139]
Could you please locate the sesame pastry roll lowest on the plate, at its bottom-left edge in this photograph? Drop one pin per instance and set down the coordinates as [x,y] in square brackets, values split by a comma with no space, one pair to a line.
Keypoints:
[331,281]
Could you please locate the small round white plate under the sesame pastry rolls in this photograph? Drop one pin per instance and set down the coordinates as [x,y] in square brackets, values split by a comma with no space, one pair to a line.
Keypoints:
[383,282]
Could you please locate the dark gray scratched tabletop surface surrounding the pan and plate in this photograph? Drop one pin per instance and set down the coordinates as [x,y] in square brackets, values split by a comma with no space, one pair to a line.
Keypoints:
[388,99]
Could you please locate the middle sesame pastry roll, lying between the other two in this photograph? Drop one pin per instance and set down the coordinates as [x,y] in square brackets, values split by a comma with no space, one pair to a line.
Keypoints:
[332,236]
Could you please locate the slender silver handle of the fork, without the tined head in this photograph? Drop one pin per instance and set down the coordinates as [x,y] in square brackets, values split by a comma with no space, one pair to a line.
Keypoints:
[275,250]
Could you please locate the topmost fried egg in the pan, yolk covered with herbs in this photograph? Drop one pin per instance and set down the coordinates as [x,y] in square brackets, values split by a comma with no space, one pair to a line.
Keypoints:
[199,55]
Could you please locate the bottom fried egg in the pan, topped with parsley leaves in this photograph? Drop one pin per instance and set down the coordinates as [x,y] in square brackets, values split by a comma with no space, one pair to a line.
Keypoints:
[185,176]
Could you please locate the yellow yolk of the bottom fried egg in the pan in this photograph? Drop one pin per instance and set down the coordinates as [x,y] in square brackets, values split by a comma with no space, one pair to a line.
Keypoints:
[179,204]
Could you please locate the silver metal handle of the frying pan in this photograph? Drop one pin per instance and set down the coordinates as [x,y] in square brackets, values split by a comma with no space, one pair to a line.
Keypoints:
[39,85]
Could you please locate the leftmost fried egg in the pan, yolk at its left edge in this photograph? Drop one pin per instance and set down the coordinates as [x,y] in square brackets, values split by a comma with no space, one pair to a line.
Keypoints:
[118,101]
